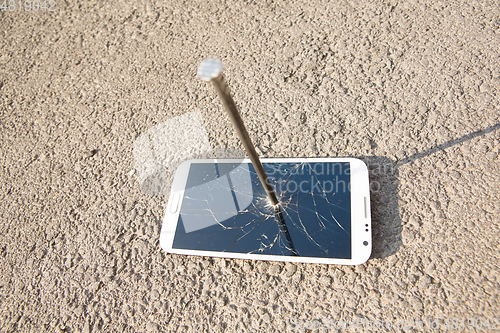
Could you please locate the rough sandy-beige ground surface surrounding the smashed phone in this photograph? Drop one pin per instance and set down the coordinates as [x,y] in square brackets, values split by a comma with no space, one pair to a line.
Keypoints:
[413,86]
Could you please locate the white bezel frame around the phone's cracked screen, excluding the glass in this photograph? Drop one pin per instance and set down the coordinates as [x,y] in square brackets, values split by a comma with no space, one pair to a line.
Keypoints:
[360,213]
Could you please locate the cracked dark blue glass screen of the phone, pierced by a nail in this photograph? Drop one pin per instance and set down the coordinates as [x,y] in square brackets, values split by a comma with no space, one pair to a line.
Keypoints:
[225,209]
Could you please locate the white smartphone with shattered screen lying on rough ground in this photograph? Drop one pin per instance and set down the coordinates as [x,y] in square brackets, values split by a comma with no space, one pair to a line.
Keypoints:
[219,208]
